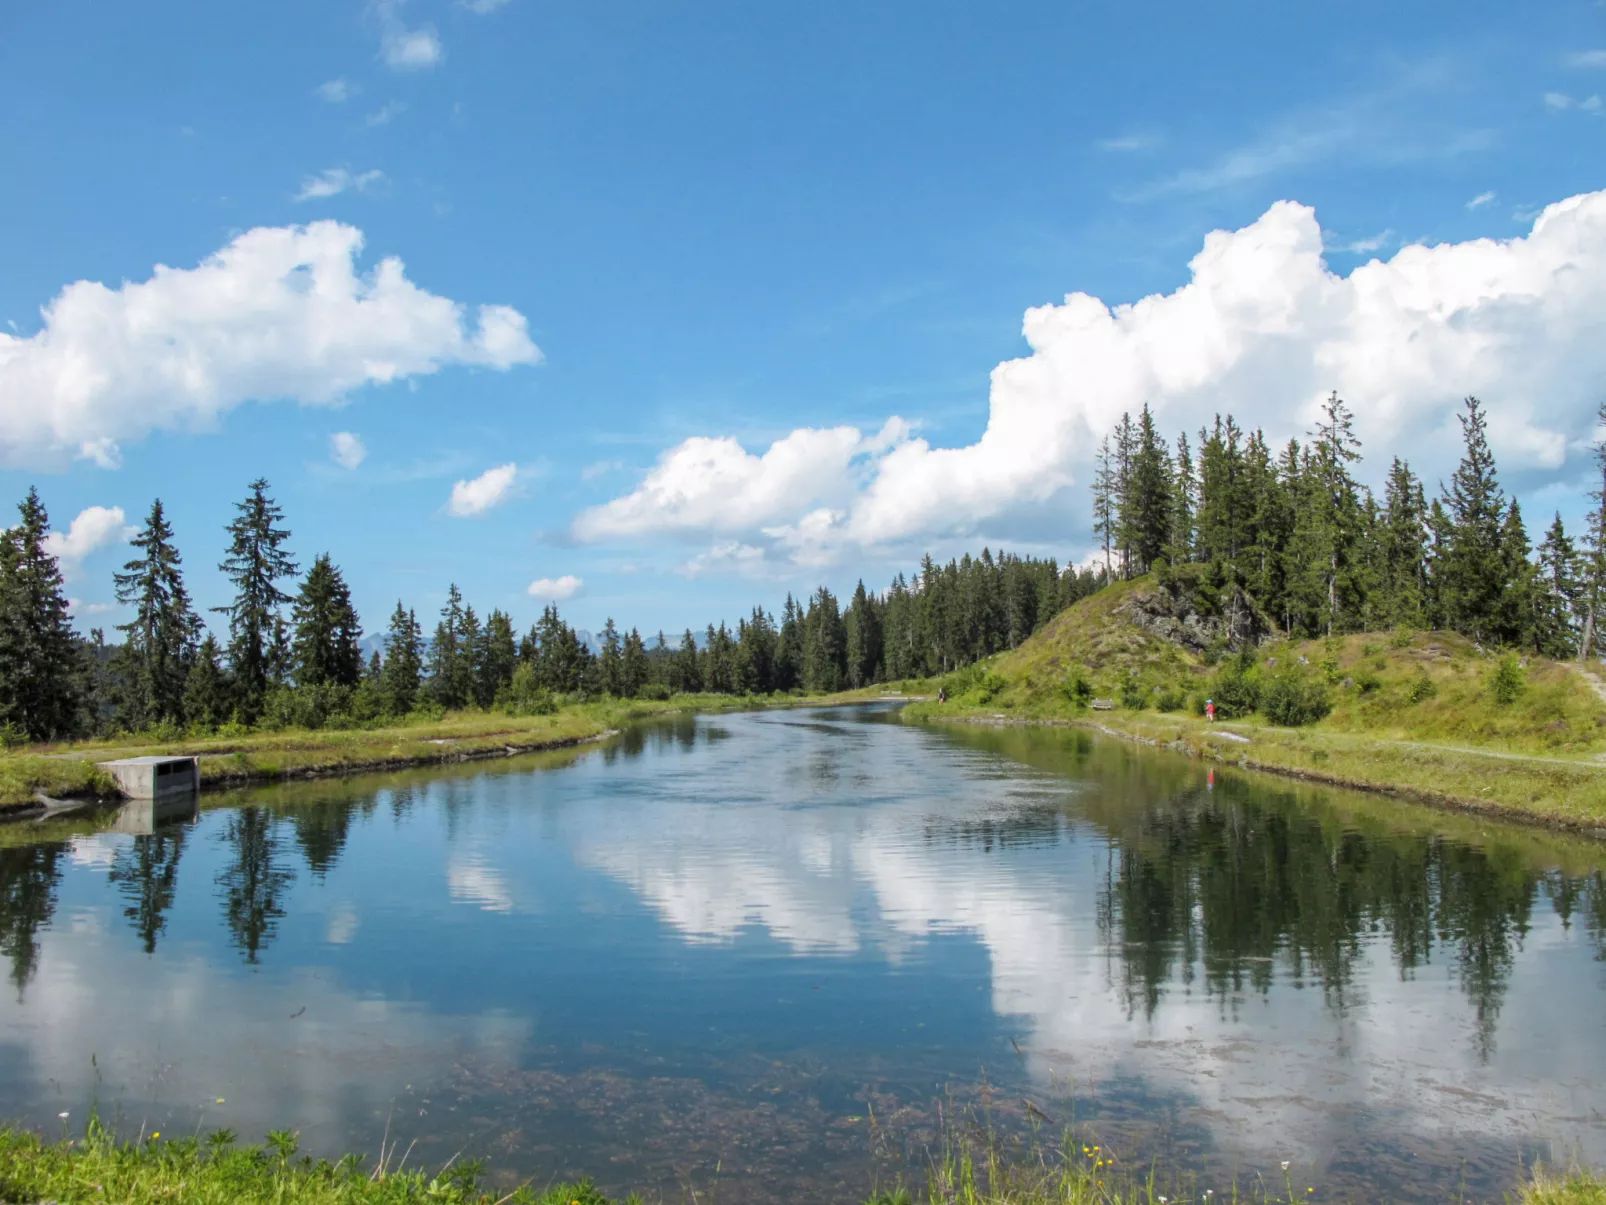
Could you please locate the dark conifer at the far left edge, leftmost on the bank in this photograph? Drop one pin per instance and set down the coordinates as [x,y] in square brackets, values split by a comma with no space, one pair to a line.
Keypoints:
[41,672]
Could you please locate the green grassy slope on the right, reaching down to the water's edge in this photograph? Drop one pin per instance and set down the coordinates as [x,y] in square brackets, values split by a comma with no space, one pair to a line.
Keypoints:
[1411,714]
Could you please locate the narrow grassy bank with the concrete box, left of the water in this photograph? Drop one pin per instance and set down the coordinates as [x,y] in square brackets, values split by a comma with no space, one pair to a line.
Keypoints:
[70,770]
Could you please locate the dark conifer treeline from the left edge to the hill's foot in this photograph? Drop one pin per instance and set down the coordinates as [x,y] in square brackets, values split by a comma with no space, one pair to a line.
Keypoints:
[287,652]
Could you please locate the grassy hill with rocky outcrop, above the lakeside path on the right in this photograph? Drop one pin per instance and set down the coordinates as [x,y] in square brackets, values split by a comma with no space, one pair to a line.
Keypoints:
[1416,687]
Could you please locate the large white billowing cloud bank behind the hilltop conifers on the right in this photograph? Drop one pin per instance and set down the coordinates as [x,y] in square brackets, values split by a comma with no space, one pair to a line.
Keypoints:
[1263,330]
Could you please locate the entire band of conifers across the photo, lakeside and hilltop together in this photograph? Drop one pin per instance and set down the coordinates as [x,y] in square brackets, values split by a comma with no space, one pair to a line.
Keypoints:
[1290,531]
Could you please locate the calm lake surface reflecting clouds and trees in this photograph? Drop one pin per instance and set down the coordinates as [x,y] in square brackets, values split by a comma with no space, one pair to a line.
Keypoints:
[709,954]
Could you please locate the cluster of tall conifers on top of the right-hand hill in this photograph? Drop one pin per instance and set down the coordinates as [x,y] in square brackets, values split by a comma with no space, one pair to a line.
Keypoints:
[1321,553]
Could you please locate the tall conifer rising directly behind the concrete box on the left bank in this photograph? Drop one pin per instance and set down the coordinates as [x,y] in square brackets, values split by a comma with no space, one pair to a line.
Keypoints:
[165,632]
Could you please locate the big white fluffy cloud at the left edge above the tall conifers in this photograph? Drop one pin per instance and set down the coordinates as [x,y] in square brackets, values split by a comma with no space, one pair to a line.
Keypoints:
[282,312]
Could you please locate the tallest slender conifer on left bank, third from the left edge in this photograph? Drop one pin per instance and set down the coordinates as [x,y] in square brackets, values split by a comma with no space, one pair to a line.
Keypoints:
[256,563]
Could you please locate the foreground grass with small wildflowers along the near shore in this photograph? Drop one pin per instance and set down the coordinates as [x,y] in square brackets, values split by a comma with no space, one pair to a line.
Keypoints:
[218,1172]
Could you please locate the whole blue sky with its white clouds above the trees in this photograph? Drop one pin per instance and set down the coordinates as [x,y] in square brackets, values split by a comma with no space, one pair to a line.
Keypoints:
[730,226]
